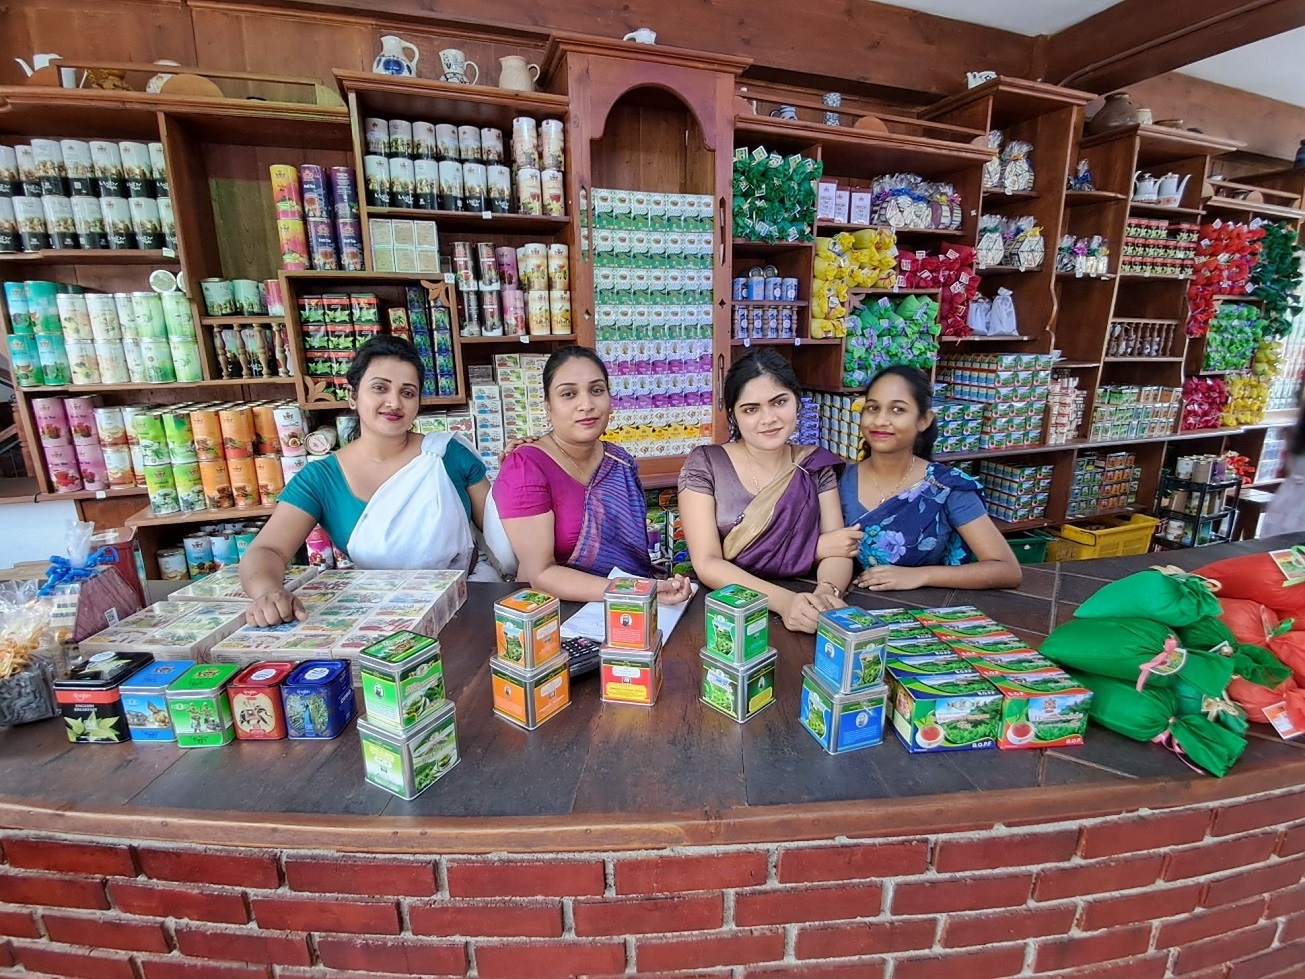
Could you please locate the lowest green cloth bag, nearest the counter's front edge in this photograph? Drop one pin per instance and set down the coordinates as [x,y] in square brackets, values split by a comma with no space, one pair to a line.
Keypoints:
[1153,715]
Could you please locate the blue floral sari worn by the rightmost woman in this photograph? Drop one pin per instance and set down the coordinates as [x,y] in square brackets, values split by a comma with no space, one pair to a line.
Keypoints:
[918,527]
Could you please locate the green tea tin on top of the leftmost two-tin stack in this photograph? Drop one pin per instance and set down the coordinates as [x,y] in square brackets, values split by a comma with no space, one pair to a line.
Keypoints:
[403,681]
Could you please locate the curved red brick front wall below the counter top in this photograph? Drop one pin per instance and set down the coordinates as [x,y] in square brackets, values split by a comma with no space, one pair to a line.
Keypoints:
[1212,891]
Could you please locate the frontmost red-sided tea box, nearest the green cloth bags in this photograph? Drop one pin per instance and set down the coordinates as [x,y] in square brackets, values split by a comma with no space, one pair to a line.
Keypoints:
[1042,711]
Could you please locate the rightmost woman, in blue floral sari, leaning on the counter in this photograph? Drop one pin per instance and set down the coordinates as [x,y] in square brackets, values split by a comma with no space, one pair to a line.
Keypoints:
[923,524]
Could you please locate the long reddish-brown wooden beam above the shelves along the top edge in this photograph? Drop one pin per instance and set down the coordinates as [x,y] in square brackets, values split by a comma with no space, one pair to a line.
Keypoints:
[878,45]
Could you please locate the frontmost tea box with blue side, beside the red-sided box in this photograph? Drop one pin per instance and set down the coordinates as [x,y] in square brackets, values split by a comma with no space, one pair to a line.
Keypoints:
[947,712]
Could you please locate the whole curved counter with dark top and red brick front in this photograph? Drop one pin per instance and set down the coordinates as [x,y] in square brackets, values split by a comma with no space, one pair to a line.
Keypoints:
[712,845]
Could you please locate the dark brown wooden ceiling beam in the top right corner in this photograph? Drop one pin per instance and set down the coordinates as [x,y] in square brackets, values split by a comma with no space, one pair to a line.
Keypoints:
[1140,40]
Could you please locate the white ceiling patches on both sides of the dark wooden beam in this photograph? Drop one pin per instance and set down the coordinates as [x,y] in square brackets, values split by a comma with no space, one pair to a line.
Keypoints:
[1270,67]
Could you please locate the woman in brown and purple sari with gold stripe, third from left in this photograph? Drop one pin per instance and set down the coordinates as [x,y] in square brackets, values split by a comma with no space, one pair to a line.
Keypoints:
[755,508]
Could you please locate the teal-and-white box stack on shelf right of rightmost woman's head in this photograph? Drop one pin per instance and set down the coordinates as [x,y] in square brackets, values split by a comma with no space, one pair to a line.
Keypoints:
[1013,390]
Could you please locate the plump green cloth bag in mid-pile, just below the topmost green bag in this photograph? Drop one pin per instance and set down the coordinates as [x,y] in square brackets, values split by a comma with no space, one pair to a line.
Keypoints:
[1127,649]
